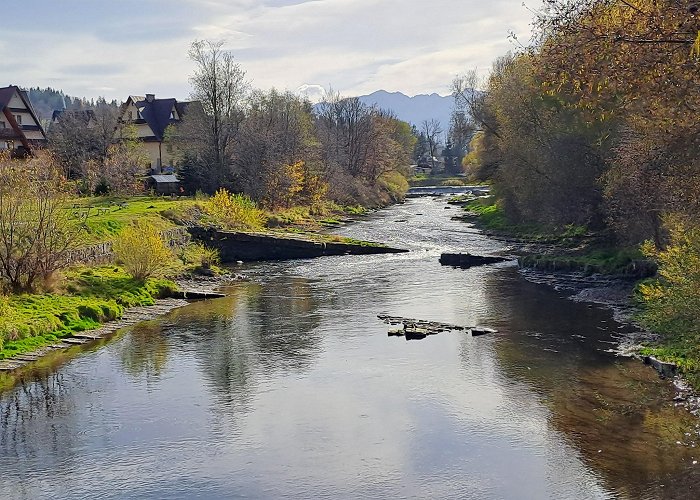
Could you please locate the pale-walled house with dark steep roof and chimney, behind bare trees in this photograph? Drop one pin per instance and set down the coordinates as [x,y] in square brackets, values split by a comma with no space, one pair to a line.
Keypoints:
[151,117]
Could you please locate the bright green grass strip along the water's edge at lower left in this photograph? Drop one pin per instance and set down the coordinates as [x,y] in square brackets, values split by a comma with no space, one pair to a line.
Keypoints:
[92,297]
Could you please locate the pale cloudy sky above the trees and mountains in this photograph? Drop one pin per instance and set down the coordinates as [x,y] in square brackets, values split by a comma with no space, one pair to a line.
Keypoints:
[91,48]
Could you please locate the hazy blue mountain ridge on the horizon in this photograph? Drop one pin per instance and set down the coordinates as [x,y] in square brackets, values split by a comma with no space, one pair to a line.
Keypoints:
[413,109]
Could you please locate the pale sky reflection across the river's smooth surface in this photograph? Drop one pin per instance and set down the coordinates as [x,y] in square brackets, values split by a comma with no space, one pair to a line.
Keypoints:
[363,416]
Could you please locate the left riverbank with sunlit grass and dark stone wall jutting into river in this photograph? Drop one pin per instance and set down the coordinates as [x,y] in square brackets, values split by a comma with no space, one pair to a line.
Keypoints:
[86,298]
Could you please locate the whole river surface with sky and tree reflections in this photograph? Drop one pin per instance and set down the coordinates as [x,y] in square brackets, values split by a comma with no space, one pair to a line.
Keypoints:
[291,388]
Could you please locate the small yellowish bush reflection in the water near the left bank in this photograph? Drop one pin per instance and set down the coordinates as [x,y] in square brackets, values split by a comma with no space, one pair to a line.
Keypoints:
[145,352]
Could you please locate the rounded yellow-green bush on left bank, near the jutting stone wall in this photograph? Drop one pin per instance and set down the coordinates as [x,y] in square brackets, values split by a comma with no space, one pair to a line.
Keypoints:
[143,252]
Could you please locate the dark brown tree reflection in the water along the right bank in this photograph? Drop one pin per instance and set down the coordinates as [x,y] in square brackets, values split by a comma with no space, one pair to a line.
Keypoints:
[551,344]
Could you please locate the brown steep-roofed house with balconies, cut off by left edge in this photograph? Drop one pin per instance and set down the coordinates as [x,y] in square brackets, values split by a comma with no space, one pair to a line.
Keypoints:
[20,128]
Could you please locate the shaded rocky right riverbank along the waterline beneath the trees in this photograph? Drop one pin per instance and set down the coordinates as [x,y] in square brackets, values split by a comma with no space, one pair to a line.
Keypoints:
[591,270]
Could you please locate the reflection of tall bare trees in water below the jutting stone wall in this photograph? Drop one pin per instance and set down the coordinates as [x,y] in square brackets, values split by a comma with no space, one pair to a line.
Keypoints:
[257,328]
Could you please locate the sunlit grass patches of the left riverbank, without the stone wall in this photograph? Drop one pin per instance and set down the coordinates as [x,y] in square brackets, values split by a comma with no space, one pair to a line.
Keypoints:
[84,298]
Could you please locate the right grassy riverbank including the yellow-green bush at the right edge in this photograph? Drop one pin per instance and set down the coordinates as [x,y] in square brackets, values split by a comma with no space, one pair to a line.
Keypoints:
[668,302]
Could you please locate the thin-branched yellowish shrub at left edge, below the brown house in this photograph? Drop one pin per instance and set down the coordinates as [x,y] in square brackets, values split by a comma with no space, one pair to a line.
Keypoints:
[36,232]
